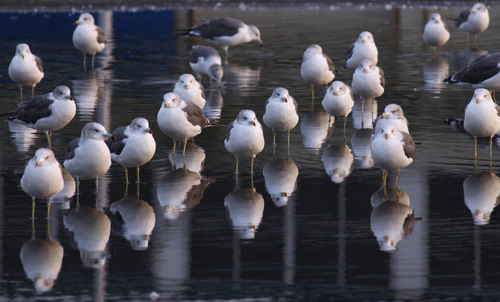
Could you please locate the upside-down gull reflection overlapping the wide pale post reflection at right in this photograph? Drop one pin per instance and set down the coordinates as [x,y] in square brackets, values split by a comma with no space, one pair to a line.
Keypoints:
[392,218]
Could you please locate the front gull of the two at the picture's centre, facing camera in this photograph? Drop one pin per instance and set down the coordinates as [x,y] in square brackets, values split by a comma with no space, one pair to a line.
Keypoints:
[245,137]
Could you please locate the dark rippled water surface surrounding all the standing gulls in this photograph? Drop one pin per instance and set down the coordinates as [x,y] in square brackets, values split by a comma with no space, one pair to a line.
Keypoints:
[321,244]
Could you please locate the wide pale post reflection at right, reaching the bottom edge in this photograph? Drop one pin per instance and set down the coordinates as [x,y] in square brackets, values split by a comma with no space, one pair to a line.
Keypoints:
[409,262]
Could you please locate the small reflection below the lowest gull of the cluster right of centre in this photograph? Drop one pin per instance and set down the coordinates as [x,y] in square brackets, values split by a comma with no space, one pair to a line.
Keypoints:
[338,162]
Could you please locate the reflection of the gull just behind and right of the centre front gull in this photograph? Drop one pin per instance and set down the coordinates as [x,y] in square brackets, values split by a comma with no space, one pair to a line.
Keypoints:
[280,176]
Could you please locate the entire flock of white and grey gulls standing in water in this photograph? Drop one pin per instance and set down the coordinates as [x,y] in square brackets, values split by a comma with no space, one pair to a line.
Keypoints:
[181,117]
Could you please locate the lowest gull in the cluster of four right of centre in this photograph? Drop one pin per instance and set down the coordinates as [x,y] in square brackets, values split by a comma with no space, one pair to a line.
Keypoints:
[339,100]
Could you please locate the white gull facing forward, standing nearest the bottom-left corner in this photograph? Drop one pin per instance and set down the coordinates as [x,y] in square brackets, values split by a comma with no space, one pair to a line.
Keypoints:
[42,176]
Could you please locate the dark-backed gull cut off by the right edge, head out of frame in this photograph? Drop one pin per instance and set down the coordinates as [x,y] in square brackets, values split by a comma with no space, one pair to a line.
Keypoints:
[483,72]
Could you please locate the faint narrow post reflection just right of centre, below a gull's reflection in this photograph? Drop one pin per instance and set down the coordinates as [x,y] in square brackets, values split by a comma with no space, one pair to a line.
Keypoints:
[289,242]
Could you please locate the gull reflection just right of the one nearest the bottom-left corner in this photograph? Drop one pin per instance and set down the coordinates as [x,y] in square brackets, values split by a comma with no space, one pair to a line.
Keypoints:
[91,230]
